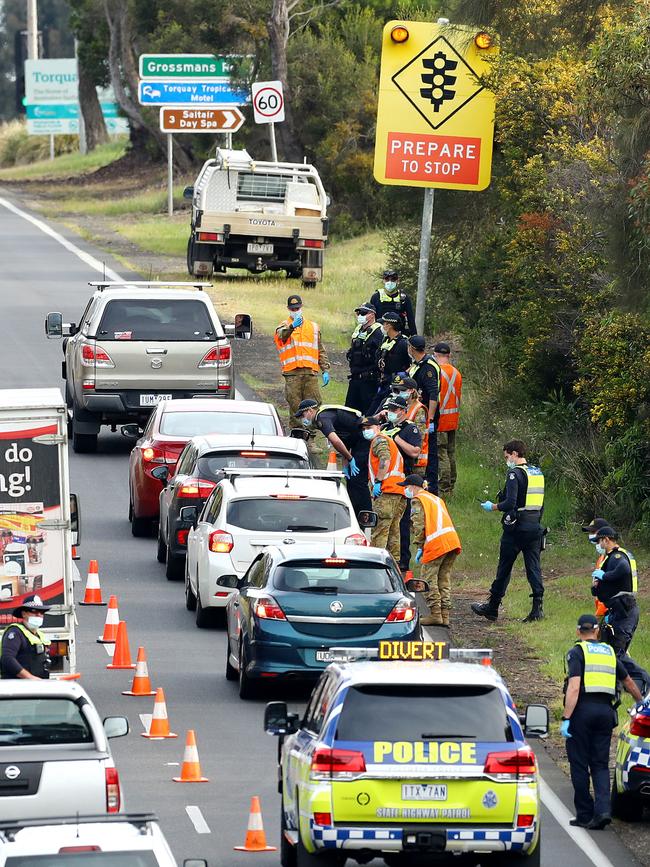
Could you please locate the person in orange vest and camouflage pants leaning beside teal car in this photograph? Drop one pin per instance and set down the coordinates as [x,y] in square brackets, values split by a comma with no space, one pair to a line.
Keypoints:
[438,546]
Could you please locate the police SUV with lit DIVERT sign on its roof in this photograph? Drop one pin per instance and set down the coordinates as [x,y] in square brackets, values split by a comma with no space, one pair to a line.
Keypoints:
[397,758]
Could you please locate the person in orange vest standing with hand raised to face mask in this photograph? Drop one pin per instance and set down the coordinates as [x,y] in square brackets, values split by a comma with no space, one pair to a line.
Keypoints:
[302,356]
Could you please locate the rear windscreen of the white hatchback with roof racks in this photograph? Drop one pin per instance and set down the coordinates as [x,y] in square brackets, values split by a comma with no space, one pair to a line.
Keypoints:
[270,515]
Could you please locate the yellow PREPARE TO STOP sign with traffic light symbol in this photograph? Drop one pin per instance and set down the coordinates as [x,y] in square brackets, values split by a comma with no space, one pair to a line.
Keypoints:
[435,120]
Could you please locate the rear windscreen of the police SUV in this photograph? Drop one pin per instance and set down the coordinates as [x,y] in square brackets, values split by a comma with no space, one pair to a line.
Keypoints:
[422,712]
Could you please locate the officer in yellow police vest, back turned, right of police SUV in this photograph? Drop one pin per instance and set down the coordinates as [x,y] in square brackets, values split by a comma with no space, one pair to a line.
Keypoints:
[592,671]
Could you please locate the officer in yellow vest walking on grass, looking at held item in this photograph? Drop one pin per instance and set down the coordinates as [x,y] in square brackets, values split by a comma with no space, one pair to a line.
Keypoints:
[522,505]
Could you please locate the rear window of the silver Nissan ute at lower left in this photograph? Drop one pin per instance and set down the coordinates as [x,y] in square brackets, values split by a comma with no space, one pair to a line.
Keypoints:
[31,721]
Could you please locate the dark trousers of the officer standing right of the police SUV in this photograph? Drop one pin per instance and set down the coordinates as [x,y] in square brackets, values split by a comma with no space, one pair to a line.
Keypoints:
[588,753]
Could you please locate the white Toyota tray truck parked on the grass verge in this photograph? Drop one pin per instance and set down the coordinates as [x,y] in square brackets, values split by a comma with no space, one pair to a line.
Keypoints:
[259,216]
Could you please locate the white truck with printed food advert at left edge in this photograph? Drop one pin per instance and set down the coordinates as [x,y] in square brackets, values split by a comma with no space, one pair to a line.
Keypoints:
[39,518]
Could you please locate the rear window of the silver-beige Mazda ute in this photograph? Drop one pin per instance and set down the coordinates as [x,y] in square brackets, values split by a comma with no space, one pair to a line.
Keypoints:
[151,319]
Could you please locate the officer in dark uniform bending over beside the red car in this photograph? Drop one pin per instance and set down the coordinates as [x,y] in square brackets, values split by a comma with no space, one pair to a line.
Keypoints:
[341,426]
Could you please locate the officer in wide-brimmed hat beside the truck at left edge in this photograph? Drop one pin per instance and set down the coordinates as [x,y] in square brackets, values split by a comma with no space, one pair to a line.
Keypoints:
[24,654]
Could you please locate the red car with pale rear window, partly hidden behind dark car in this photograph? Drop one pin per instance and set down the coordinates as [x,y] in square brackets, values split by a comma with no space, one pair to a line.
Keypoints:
[170,426]
